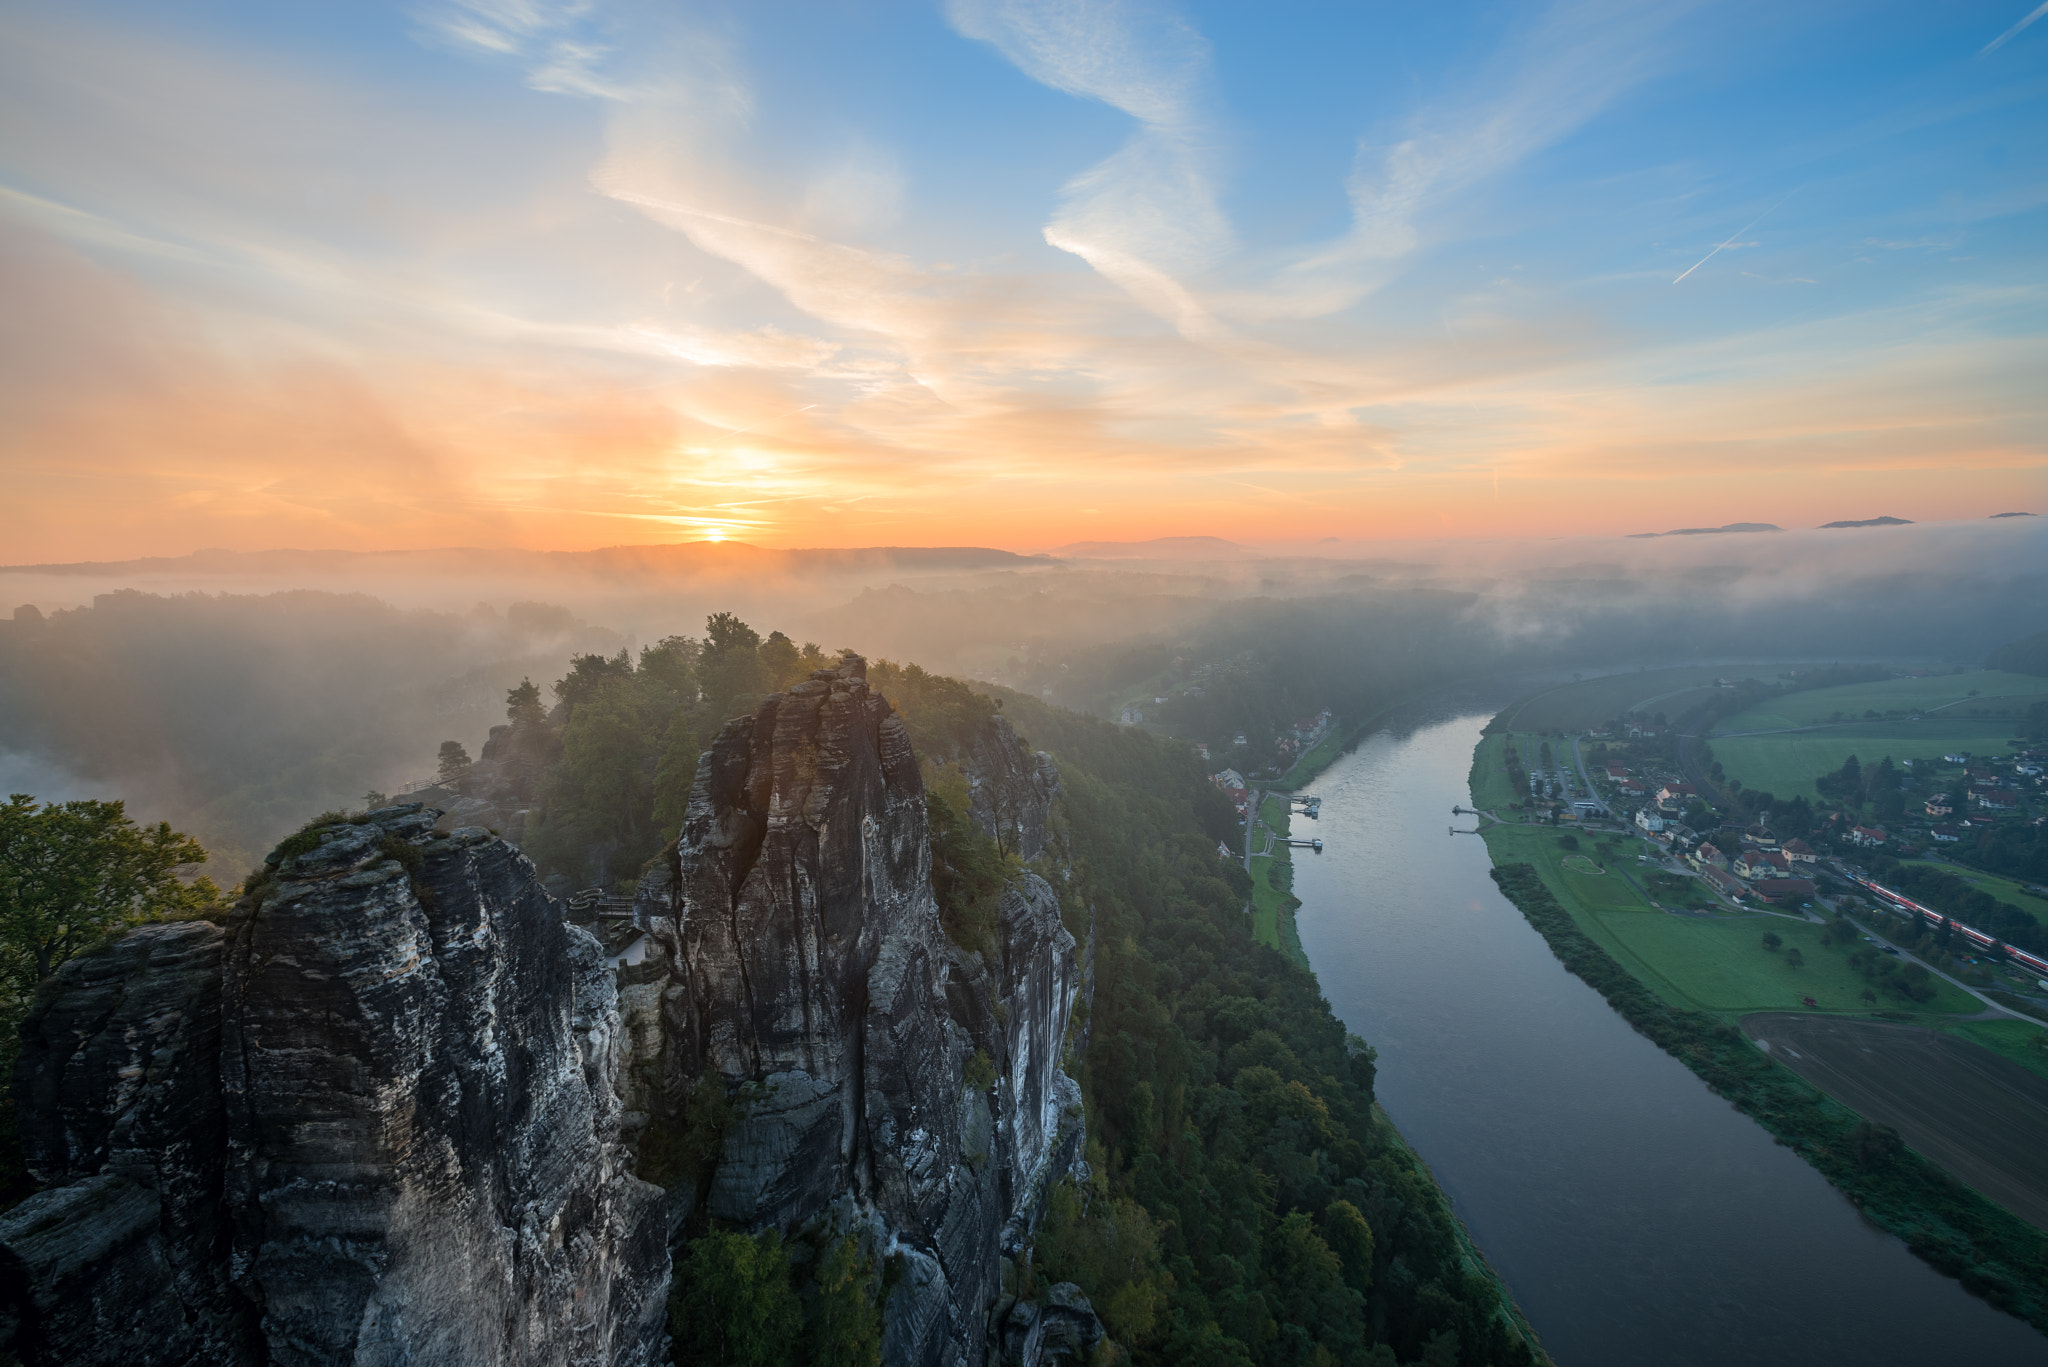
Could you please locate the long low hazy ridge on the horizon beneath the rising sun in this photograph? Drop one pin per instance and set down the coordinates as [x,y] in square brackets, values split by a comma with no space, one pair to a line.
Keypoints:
[622,563]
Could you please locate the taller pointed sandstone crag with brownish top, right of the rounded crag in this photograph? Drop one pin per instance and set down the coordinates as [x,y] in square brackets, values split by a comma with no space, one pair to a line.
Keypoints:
[810,975]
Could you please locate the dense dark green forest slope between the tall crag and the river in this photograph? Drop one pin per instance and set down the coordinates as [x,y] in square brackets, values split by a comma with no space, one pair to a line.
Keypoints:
[1246,1202]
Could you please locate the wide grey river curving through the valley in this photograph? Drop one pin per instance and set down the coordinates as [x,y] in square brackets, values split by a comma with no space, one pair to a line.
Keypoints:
[1635,1216]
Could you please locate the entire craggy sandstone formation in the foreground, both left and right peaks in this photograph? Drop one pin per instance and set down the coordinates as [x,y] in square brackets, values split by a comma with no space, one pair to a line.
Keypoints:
[394,1110]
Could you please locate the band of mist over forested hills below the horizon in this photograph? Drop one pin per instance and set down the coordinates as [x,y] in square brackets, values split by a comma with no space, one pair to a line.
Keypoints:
[241,694]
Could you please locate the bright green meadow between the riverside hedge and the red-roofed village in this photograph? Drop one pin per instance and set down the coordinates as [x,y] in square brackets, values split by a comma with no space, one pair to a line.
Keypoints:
[1707,962]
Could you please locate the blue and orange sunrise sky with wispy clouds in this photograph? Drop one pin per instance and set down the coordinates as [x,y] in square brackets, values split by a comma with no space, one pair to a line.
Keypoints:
[574,274]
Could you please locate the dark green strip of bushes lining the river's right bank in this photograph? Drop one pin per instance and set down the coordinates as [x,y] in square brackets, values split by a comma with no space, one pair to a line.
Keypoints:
[1994,1253]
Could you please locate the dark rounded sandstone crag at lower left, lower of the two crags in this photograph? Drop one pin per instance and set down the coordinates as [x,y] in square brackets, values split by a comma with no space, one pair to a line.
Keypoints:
[384,1132]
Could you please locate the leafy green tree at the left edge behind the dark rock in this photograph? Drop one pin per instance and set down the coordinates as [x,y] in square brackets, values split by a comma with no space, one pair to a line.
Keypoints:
[75,872]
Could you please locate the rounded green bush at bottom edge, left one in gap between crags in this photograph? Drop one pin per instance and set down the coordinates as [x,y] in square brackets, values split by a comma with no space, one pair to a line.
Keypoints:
[734,1304]
